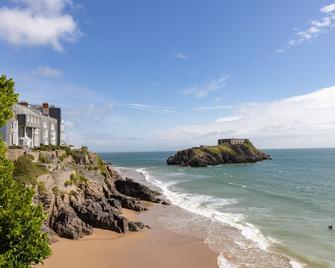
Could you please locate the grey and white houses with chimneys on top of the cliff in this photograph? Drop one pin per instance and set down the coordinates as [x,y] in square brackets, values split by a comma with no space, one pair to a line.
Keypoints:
[33,125]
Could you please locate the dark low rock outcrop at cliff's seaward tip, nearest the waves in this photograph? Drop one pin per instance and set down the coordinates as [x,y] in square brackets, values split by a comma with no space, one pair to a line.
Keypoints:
[137,190]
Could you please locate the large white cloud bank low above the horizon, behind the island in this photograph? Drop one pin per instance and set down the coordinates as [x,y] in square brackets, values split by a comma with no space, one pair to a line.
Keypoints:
[302,121]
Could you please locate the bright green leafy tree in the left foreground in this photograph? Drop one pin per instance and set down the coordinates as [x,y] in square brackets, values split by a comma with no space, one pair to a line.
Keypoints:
[22,242]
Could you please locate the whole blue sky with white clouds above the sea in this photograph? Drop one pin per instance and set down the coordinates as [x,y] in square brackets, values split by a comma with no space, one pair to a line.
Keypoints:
[166,75]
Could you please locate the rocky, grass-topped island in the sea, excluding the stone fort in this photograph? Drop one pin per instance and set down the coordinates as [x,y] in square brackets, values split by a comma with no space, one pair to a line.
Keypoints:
[220,154]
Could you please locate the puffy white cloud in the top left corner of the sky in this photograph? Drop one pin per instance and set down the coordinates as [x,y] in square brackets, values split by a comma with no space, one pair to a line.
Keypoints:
[38,23]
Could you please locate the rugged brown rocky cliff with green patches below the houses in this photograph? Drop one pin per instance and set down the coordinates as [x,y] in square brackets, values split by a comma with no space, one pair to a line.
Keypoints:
[80,192]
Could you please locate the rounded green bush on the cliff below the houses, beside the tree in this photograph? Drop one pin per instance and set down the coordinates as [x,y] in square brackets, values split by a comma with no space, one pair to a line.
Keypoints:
[26,171]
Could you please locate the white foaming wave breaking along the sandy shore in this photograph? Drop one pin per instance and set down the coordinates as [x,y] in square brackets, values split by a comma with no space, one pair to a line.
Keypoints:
[207,206]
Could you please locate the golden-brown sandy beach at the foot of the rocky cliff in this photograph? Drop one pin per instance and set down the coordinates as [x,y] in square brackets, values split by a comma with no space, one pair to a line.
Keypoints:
[155,247]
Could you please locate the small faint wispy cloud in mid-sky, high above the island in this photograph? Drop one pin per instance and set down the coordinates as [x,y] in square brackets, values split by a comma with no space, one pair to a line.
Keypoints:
[205,89]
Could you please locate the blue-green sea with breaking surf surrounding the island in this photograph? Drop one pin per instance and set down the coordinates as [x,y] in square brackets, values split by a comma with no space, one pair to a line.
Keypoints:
[253,214]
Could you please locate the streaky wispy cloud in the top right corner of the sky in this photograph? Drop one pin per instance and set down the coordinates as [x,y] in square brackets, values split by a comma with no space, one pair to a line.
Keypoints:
[314,29]
